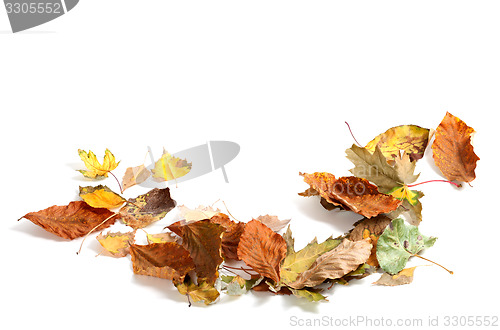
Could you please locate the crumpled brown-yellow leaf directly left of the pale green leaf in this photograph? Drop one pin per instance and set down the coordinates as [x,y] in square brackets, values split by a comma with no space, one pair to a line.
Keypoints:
[370,229]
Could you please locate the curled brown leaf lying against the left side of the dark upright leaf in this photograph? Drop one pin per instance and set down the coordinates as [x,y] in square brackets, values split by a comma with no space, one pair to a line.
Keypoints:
[164,260]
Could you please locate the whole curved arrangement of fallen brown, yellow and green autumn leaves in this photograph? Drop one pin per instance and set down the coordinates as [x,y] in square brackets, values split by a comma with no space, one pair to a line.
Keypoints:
[194,251]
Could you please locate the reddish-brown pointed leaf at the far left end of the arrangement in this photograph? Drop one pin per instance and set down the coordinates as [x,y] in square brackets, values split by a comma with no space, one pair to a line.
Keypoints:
[74,220]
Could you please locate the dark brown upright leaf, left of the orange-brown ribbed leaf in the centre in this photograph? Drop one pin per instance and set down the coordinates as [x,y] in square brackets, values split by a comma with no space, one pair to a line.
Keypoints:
[203,240]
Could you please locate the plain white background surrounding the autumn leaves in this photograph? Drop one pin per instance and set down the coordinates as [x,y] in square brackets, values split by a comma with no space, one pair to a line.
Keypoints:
[277,77]
